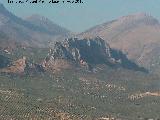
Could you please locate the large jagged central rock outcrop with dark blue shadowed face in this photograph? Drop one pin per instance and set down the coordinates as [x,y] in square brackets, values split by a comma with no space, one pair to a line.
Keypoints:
[86,53]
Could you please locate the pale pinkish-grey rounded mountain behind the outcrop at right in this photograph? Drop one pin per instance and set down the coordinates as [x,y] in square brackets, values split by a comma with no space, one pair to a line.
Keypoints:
[137,35]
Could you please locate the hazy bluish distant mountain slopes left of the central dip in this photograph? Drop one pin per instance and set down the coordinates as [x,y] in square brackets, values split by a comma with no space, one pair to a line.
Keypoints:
[15,30]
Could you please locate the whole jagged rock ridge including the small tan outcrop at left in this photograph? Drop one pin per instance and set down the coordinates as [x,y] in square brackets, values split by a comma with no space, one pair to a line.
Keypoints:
[74,53]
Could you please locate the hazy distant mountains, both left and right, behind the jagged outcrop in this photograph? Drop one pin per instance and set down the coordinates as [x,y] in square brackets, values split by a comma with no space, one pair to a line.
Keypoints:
[137,35]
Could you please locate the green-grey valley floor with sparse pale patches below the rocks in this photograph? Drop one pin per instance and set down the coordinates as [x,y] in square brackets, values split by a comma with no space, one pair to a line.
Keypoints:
[80,95]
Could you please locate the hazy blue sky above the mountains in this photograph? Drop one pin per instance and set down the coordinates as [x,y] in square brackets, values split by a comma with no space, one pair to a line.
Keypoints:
[79,17]
